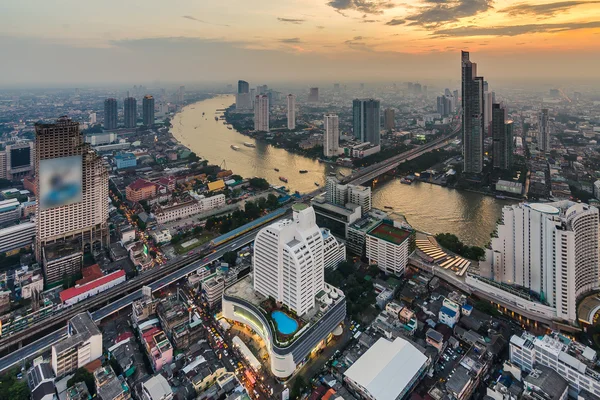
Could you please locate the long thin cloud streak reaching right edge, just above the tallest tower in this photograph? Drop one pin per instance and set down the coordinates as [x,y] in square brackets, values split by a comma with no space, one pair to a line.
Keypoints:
[514,30]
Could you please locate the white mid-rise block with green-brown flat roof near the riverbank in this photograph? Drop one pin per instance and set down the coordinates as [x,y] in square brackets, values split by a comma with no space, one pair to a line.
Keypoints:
[388,247]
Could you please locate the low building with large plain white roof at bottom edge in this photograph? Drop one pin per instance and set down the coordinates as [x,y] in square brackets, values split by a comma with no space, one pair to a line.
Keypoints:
[383,373]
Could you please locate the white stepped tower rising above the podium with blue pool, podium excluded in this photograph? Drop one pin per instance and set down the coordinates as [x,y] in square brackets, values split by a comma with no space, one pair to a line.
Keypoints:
[288,260]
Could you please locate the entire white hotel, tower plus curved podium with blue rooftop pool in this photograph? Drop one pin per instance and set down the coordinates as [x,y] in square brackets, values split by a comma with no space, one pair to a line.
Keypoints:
[288,275]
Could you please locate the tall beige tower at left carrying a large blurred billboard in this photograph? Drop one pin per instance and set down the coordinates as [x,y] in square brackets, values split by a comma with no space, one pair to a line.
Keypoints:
[72,207]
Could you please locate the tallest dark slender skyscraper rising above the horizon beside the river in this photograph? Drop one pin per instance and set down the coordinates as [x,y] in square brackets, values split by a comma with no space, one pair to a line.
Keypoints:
[472,116]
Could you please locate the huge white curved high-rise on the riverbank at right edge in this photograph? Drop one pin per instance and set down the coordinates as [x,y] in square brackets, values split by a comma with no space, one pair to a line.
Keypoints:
[550,249]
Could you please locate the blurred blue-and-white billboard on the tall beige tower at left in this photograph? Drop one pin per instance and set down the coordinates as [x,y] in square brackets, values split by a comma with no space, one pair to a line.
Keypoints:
[60,181]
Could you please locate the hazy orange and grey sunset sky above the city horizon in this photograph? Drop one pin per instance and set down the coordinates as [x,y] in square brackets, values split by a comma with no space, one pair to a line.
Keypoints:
[203,40]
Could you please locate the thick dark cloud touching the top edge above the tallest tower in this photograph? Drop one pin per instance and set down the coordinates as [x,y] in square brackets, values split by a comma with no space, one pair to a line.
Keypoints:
[438,13]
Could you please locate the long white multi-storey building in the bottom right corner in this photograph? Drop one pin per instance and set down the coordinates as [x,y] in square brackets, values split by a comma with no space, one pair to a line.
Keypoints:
[575,362]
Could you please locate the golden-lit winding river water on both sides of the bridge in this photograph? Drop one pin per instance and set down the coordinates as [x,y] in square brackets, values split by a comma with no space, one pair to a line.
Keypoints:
[430,208]
